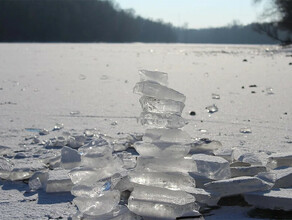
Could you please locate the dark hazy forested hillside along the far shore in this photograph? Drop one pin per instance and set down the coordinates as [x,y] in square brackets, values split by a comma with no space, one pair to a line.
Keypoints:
[102,21]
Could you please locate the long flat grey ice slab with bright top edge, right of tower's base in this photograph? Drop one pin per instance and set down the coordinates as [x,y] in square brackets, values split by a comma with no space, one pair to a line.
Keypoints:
[238,185]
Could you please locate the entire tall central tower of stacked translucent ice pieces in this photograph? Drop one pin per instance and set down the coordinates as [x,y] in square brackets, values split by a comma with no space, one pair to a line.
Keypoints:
[162,185]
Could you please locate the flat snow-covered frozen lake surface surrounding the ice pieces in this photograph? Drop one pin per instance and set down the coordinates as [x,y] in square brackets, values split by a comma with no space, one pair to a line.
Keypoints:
[41,84]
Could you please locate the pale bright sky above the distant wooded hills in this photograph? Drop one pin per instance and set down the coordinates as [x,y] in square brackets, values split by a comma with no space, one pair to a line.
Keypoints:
[197,13]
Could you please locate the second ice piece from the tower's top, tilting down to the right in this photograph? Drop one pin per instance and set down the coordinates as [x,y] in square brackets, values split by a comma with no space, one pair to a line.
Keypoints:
[156,90]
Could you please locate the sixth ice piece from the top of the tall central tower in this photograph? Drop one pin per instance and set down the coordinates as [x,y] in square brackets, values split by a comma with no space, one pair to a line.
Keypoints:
[162,149]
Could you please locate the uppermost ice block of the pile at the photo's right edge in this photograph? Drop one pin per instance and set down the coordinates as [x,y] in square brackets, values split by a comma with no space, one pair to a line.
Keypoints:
[280,160]
